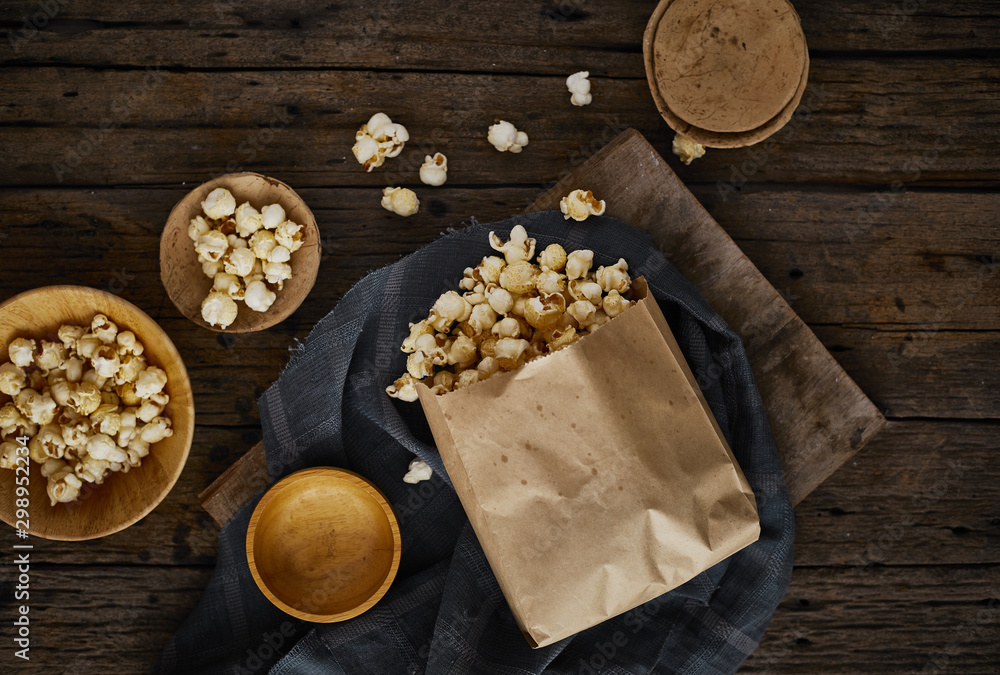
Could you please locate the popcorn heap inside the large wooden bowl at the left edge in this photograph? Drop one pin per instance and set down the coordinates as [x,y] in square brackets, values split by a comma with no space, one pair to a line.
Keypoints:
[95,409]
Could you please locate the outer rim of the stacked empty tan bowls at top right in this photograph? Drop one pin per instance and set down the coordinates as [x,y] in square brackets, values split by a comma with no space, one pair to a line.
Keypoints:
[716,139]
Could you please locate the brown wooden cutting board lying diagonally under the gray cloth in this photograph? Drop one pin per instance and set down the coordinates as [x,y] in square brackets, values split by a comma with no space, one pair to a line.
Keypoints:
[819,417]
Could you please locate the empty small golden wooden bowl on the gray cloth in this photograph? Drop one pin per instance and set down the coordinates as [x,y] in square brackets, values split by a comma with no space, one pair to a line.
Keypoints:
[323,545]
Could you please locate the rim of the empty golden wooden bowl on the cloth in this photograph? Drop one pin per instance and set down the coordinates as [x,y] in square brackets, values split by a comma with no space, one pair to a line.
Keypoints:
[339,475]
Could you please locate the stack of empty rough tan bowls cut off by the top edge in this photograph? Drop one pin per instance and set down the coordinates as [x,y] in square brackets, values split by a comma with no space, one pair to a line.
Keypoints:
[726,75]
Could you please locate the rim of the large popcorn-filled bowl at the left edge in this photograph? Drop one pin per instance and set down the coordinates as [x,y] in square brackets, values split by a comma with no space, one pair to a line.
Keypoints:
[184,385]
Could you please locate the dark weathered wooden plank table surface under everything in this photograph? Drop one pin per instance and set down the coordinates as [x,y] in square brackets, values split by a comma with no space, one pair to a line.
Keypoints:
[875,213]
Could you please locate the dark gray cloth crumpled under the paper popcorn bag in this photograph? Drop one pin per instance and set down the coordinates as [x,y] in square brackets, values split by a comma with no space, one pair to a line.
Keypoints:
[445,612]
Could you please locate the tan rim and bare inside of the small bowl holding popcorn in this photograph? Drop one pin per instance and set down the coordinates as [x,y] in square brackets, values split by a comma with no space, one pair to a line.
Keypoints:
[300,275]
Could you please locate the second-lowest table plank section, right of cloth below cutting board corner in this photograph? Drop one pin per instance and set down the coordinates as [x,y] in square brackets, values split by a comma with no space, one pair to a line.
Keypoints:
[918,493]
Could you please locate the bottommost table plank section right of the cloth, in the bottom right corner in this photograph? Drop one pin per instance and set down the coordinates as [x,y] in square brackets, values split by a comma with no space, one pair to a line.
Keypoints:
[898,620]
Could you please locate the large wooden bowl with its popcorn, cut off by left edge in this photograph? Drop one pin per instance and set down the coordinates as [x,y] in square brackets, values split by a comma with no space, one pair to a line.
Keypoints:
[96,413]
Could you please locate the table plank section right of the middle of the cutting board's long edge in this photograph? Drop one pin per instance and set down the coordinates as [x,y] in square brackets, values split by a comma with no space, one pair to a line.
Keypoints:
[929,259]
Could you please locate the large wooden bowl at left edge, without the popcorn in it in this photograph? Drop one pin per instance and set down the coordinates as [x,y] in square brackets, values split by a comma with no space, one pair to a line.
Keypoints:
[122,499]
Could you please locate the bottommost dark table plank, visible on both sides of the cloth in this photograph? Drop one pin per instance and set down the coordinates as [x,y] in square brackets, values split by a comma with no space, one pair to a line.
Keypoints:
[879,620]
